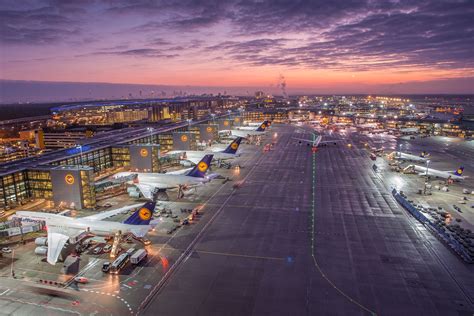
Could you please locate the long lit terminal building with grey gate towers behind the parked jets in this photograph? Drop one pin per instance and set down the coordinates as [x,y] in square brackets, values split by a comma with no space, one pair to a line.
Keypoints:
[66,177]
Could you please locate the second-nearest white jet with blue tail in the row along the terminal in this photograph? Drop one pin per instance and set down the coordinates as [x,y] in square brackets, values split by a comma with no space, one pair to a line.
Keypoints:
[148,183]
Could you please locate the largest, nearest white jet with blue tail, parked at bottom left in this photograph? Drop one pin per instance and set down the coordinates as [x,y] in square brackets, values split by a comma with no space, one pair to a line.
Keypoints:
[62,229]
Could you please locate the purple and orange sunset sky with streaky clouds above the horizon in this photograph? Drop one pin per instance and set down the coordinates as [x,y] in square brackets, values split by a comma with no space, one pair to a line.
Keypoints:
[321,46]
